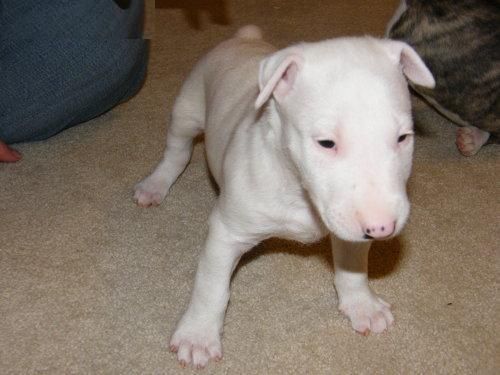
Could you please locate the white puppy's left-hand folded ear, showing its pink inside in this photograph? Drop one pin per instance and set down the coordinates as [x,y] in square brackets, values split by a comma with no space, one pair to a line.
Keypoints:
[277,74]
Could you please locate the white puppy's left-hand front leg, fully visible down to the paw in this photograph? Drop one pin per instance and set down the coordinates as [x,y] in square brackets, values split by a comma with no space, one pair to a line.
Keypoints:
[197,336]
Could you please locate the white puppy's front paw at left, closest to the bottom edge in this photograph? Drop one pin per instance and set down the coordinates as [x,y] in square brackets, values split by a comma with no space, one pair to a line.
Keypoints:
[196,344]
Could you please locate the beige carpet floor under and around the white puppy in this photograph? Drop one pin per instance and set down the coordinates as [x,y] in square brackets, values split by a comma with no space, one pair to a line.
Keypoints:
[90,283]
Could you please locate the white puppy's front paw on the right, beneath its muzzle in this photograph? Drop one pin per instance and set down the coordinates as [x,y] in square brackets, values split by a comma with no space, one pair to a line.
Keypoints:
[367,312]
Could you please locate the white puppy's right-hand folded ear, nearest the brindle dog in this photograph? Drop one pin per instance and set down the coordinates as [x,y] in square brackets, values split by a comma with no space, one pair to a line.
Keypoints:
[413,66]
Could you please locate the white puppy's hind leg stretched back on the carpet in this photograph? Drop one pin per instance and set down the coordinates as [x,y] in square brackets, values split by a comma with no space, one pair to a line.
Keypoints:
[187,121]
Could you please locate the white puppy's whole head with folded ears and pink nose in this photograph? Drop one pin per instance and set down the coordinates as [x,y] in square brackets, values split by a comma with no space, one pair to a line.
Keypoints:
[346,126]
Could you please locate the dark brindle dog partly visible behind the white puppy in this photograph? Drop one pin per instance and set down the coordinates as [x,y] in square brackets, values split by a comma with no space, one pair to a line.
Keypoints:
[459,40]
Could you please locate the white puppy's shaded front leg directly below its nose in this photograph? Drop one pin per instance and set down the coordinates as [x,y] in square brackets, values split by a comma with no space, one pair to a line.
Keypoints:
[357,301]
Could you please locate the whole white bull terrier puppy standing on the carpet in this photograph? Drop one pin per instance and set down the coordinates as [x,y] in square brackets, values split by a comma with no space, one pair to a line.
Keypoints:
[313,139]
